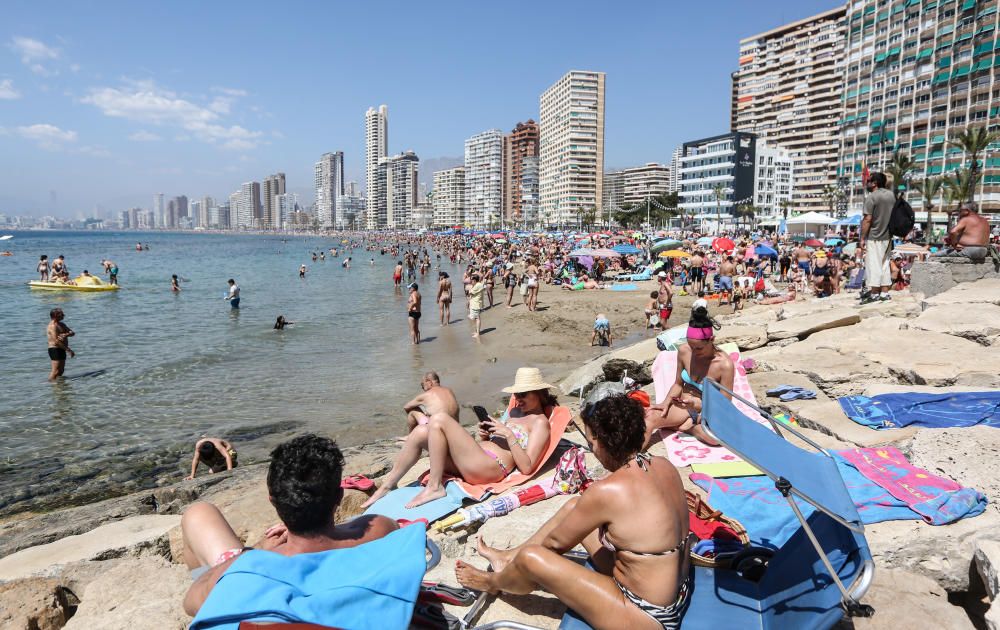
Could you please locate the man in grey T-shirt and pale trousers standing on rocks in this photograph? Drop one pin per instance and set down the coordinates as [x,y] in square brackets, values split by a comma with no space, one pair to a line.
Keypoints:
[876,241]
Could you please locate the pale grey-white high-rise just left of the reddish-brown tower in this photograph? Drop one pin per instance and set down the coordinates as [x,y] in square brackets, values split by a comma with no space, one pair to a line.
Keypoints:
[484,178]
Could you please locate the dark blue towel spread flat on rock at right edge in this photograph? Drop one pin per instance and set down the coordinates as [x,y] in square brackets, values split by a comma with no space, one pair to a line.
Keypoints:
[951,409]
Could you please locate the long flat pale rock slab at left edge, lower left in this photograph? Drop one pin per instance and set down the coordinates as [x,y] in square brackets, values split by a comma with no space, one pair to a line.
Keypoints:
[134,536]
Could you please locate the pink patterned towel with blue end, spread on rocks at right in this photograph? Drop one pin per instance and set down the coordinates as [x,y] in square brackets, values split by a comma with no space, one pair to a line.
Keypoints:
[935,499]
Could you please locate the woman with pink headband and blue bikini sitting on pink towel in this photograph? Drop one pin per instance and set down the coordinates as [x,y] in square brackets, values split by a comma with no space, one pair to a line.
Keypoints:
[697,359]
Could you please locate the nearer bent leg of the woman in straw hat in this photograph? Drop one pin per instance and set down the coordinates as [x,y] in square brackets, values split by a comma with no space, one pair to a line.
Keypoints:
[448,442]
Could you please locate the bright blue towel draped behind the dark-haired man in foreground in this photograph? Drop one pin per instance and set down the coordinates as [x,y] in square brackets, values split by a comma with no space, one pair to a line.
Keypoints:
[373,585]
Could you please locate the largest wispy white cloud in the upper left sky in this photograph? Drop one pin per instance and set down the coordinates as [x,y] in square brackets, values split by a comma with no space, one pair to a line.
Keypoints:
[145,102]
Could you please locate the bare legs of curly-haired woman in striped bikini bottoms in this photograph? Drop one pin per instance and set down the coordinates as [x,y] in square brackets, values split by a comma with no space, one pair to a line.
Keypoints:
[593,595]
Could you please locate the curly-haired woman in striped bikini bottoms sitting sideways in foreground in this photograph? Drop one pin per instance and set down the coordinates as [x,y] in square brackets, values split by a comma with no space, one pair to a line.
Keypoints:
[641,577]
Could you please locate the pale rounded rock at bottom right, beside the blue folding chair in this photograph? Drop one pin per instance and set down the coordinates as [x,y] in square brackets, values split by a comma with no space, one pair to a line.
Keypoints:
[905,600]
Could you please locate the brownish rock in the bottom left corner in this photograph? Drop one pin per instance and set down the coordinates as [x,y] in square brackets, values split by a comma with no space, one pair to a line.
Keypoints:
[34,604]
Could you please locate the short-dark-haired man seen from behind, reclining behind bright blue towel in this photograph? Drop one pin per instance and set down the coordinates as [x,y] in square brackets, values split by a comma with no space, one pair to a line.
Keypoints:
[303,482]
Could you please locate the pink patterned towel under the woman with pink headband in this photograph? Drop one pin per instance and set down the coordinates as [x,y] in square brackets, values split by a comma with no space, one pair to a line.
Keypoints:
[683,449]
